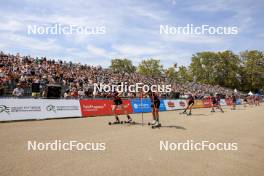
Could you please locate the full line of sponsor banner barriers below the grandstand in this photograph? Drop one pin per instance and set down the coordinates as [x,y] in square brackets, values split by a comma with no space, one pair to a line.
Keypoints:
[24,109]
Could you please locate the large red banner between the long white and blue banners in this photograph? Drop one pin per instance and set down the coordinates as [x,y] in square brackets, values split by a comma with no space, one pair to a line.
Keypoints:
[102,107]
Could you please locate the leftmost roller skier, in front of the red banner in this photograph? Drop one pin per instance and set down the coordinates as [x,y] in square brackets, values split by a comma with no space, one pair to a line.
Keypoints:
[117,103]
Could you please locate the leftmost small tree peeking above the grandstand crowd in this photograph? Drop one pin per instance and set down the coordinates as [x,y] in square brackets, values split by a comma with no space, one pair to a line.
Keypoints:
[122,66]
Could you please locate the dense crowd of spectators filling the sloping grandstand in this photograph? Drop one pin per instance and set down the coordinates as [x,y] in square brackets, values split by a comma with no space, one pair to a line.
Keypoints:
[19,73]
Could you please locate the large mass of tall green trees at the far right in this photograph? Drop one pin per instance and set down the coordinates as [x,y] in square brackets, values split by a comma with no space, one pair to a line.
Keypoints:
[244,72]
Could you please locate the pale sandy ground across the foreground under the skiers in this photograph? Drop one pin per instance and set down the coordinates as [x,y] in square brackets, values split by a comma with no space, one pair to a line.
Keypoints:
[135,149]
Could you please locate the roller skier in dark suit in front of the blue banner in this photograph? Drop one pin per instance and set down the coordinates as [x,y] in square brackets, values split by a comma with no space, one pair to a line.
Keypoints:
[155,104]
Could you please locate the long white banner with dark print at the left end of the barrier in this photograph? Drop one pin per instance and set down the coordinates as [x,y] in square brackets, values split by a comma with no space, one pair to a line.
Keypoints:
[21,109]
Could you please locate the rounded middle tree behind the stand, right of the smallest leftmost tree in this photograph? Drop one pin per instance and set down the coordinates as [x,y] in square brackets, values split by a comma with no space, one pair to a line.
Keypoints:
[150,67]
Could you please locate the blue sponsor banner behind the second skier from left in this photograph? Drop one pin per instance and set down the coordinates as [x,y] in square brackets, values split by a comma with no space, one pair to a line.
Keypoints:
[144,105]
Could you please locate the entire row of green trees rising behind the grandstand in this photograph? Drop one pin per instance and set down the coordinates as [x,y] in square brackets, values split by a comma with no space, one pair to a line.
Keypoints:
[244,71]
